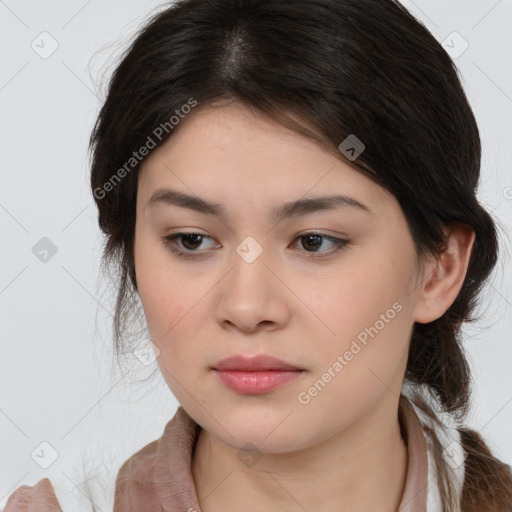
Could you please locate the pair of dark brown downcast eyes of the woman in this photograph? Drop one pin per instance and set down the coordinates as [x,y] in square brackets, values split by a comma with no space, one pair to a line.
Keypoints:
[313,239]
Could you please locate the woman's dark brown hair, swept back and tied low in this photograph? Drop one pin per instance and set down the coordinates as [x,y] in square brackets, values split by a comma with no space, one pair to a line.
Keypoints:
[326,69]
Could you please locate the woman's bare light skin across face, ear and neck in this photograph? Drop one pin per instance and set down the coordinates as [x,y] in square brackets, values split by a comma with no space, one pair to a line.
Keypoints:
[344,446]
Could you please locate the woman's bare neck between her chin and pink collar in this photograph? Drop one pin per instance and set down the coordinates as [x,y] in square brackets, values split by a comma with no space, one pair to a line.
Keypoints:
[362,468]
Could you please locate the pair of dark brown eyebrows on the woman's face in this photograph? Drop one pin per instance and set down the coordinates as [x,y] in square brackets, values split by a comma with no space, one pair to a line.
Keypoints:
[295,208]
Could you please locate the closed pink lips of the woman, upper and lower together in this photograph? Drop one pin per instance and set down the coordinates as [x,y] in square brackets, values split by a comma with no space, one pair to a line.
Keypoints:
[255,375]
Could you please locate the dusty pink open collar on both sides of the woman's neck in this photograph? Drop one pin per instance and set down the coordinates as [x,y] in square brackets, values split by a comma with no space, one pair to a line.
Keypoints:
[161,473]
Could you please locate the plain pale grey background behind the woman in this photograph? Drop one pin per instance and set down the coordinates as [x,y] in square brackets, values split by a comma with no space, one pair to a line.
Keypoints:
[57,386]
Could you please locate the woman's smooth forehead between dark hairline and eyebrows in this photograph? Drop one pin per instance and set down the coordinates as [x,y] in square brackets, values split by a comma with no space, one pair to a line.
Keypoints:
[233,154]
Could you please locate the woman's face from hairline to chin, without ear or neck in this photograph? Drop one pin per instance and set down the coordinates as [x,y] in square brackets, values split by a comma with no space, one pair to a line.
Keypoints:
[255,284]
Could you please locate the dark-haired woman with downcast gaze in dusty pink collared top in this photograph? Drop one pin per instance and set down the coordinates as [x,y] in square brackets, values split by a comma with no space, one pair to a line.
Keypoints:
[237,140]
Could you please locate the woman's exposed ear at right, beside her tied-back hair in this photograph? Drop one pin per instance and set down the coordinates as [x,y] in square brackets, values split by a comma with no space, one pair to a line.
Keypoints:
[444,275]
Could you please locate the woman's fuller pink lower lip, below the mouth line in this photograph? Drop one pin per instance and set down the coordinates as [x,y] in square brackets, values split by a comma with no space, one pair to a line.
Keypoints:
[256,383]
